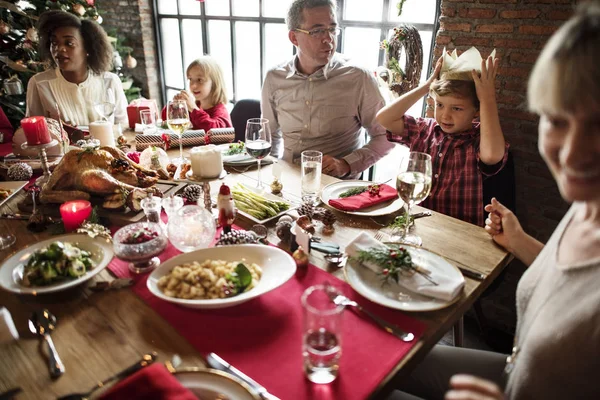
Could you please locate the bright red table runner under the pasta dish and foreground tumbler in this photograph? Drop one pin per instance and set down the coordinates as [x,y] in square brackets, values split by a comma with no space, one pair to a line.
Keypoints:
[263,337]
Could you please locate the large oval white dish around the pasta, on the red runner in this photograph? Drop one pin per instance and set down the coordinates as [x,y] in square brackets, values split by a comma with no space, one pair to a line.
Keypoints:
[277,268]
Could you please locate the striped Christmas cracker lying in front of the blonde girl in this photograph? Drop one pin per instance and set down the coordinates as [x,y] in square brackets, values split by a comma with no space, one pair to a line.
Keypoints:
[189,138]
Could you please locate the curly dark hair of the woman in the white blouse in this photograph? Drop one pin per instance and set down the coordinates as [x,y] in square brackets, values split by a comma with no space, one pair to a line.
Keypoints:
[95,40]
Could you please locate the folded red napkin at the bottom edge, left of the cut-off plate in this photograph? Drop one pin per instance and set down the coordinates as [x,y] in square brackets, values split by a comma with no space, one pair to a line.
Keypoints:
[151,383]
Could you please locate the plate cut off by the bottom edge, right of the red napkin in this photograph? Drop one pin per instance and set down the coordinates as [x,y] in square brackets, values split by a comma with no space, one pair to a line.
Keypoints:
[207,383]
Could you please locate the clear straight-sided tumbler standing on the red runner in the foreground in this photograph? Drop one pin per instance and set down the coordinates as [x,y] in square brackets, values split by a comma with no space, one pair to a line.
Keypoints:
[321,339]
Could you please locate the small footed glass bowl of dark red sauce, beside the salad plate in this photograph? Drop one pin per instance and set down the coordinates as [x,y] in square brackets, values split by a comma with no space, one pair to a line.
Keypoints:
[139,244]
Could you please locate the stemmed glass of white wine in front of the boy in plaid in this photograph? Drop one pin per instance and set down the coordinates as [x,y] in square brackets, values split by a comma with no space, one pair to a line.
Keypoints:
[413,184]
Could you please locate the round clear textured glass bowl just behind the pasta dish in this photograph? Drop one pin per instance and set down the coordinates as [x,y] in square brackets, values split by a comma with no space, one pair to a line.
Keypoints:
[191,228]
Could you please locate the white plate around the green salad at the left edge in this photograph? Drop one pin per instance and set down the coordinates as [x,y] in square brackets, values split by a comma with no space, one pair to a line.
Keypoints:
[11,271]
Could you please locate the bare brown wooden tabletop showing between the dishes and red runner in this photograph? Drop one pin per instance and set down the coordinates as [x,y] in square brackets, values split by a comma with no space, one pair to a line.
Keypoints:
[100,333]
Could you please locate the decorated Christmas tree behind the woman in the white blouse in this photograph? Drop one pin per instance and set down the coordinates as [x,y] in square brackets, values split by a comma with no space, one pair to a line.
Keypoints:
[19,58]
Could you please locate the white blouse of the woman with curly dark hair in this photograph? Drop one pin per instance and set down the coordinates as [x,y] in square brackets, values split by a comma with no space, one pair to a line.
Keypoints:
[75,101]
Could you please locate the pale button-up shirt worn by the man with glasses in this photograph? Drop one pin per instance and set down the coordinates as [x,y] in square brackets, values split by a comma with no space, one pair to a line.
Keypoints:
[325,111]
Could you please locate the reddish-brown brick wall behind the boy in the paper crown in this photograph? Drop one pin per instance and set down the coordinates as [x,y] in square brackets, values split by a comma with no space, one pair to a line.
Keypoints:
[518,30]
